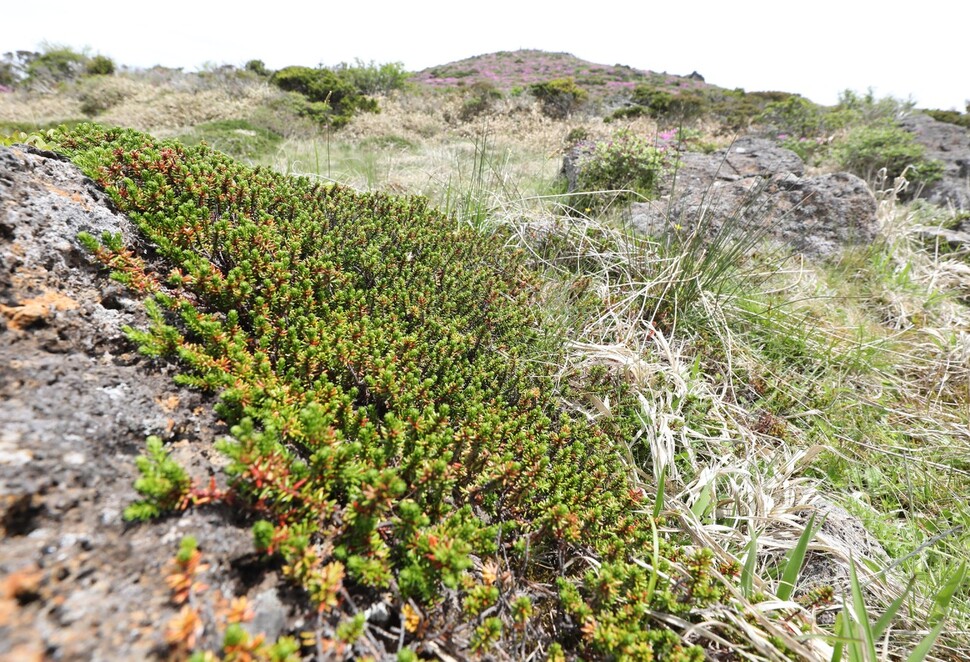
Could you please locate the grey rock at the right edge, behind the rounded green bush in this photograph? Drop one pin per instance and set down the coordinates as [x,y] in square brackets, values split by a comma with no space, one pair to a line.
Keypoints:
[950,145]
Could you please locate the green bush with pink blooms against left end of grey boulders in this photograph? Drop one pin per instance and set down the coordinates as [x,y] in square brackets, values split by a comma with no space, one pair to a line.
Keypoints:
[625,166]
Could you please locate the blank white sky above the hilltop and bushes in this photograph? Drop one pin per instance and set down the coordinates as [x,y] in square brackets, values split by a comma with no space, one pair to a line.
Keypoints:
[814,47]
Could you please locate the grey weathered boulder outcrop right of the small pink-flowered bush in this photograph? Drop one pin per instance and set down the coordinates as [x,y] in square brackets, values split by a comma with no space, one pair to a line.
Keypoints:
[757,189]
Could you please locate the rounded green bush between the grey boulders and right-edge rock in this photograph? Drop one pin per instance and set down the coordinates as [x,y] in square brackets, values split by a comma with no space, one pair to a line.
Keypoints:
[867,149]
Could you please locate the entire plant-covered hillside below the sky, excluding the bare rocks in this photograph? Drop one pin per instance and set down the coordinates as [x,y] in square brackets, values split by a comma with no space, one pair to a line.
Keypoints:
[497,409]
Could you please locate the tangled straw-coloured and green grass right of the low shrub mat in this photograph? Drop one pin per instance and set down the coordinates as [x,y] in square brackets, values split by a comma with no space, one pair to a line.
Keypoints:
[838,388]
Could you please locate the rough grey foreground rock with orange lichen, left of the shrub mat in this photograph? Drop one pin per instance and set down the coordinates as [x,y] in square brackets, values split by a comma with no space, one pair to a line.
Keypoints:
[76,402]
